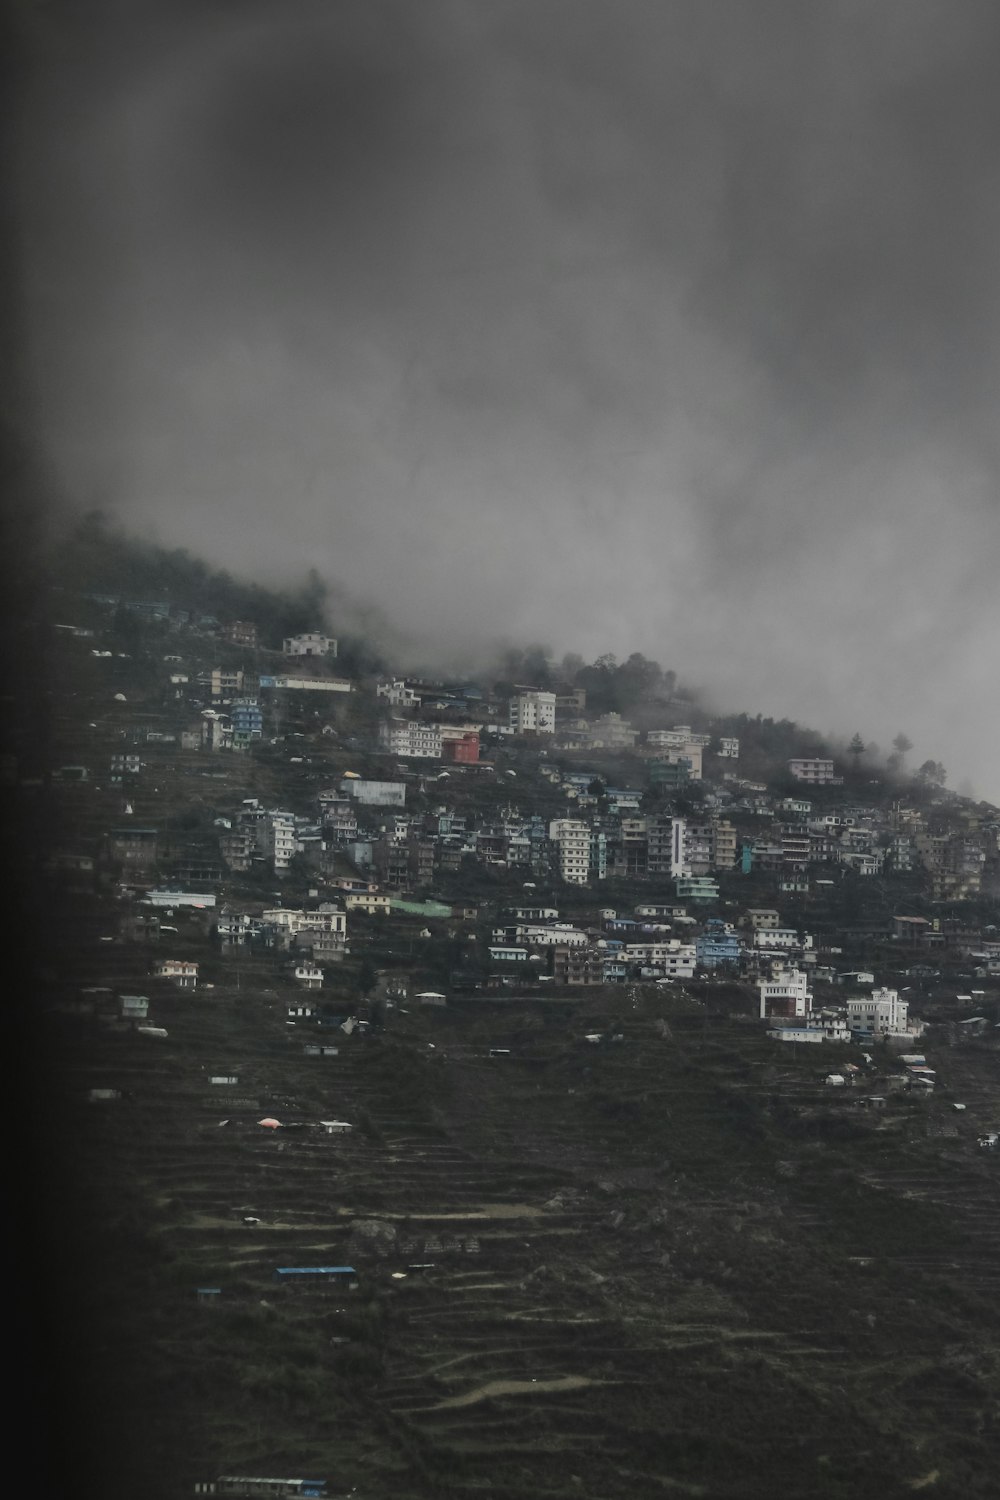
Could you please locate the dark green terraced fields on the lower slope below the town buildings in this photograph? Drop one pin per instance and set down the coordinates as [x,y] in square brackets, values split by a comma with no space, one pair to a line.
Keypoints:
[668,1262]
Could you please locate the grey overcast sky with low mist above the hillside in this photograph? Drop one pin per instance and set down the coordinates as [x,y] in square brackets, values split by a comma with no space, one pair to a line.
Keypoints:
[617,325]
